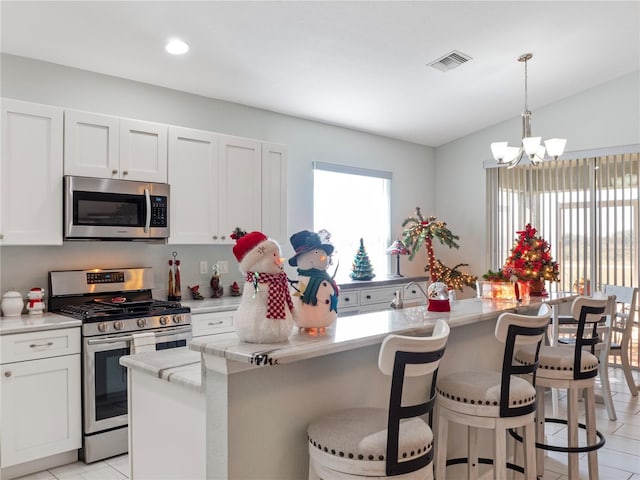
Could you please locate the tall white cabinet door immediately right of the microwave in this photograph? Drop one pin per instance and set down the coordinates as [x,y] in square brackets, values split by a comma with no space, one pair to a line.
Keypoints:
[193,166]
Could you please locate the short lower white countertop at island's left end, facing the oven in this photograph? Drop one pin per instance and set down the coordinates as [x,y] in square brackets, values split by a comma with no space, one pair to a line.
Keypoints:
[176,365]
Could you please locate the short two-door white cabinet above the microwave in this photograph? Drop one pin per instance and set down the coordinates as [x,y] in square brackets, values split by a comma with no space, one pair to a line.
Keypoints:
[110,147]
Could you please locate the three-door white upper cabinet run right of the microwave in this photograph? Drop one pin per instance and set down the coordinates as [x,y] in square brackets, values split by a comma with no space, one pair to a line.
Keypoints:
[220,182]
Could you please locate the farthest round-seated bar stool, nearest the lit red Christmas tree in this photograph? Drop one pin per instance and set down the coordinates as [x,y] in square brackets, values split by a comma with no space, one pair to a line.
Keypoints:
[573,369]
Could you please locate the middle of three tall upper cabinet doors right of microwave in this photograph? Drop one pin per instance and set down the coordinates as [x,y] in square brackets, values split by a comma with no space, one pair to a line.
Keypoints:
[239,186]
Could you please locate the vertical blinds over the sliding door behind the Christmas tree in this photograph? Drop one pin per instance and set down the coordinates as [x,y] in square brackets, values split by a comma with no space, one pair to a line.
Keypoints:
[586,208]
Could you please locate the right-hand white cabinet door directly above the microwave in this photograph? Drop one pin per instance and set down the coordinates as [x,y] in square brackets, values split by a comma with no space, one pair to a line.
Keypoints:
[143,151]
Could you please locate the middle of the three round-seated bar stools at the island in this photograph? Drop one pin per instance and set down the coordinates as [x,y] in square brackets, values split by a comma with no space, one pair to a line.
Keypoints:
[494,400]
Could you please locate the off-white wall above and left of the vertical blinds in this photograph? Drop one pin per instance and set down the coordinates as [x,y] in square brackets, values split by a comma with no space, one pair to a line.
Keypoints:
[604,116]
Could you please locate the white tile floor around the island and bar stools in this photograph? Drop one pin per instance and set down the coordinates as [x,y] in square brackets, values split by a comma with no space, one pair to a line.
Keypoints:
[619,459]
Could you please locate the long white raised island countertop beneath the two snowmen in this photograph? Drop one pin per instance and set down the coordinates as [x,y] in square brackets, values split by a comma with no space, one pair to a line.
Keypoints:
[362,330]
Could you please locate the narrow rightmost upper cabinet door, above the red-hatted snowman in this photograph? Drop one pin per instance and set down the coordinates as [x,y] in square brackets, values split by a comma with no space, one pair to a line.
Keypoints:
[274,191]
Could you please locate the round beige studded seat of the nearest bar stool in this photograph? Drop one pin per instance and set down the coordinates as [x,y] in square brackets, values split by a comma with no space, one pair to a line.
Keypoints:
[361,434]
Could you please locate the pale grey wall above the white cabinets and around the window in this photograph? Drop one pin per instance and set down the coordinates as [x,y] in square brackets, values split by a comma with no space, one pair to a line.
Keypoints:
[31,80]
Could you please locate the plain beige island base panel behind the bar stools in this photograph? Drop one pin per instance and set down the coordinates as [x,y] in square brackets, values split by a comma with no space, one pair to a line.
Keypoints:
[257,419]
